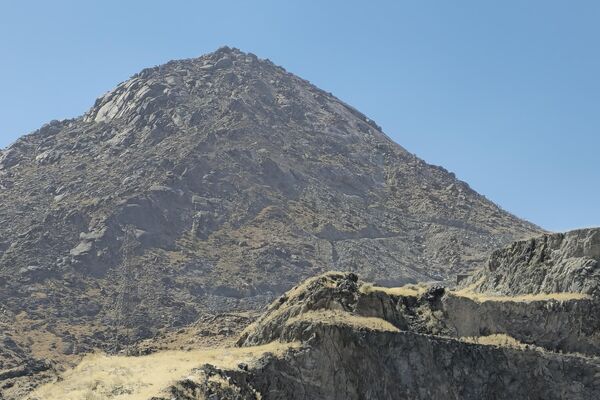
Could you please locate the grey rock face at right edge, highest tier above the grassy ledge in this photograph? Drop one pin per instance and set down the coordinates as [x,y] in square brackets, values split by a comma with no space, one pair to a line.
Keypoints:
[553,263]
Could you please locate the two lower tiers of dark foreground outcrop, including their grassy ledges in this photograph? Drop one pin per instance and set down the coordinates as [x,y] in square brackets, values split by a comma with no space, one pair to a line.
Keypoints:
[365,342]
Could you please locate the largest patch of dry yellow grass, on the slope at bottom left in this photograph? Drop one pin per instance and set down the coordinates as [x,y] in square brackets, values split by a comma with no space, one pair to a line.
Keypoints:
[102,377]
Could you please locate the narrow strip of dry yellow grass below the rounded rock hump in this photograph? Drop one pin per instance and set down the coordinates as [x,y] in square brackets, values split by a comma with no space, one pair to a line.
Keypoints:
[344,318]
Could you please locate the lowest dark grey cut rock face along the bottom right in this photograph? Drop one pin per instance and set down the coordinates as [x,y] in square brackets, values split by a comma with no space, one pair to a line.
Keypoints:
[347,364]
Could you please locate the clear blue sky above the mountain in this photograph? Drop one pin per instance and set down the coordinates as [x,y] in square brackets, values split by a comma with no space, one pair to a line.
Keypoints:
[504,93]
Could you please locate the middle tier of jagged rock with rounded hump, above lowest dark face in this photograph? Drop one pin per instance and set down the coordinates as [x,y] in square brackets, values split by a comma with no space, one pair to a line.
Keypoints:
[555,324]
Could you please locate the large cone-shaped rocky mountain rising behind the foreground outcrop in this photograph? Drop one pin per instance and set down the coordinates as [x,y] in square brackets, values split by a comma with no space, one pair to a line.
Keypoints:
[209,185]
